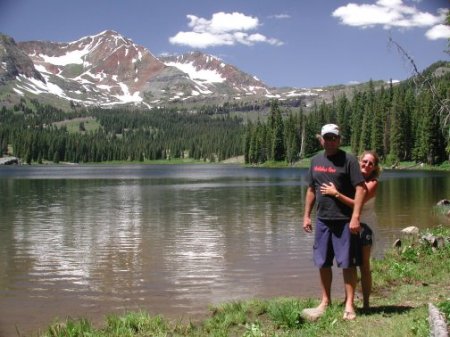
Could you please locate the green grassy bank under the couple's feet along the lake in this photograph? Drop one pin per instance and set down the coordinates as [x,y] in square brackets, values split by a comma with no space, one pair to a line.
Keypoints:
[405,281]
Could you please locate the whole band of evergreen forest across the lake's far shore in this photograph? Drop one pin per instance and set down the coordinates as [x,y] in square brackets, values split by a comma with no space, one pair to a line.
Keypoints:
[402,122]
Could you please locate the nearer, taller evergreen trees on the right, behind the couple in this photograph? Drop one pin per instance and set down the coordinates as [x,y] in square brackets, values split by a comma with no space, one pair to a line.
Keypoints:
[405,122]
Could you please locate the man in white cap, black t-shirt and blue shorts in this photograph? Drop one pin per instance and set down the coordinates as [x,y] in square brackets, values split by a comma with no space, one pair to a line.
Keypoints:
[337,224]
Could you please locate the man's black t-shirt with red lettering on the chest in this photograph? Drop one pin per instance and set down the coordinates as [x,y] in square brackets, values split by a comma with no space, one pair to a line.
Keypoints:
[342,169]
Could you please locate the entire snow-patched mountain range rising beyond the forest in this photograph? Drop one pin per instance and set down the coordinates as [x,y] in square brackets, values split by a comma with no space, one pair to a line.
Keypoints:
[108,69]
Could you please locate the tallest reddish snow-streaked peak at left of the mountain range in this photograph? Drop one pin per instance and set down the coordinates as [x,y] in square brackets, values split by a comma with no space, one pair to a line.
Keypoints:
[103,69]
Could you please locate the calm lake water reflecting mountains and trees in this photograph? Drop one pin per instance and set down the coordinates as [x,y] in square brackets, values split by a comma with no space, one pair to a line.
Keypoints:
[86,241]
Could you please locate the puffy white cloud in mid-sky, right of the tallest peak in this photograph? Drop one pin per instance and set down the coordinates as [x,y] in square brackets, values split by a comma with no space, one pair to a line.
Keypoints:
[223,29]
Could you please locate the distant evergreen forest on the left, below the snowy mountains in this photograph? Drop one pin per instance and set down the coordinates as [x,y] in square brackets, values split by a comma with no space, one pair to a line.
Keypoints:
[124,135]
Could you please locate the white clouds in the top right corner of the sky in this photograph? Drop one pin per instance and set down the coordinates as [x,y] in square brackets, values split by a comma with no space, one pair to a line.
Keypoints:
[389,14]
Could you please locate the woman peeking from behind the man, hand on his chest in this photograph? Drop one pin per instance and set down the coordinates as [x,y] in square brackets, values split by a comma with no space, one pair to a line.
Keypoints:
[370,168]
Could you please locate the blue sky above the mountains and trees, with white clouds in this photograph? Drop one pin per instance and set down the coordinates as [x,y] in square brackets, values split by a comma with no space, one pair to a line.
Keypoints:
[298,43]
